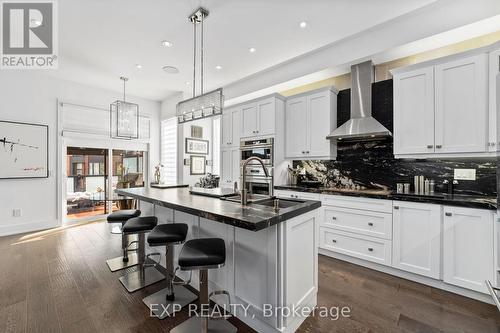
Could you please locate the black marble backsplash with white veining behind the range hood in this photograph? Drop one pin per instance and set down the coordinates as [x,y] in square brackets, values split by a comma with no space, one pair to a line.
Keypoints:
[372,165]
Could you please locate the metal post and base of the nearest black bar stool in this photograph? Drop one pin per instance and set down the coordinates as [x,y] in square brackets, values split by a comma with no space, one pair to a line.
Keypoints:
[202,322]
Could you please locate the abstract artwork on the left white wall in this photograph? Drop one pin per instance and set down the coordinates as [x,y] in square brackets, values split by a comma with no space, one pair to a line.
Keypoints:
[23,150]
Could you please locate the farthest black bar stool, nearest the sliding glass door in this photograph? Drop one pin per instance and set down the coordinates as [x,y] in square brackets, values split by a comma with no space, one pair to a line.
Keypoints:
[124,261]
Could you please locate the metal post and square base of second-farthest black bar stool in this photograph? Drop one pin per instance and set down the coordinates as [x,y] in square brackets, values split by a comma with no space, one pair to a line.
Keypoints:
[145,275]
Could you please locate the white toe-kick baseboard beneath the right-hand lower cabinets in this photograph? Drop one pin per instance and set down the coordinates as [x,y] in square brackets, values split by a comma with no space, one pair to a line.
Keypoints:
[410,276]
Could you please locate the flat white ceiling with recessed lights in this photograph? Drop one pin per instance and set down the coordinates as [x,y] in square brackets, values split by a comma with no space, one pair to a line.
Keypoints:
[103,39]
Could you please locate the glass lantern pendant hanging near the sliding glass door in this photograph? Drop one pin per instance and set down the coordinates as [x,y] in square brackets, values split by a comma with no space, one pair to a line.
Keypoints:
[124,118]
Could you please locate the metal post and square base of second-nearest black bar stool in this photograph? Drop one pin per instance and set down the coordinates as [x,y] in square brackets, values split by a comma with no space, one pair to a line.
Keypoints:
[171,299]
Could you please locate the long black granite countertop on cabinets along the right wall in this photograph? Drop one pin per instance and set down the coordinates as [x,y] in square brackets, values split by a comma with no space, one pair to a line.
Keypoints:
[471,201]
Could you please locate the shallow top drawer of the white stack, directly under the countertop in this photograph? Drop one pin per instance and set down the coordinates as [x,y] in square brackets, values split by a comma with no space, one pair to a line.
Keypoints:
[376,205]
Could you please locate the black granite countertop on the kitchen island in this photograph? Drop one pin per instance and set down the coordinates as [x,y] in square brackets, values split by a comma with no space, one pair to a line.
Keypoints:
[253,217]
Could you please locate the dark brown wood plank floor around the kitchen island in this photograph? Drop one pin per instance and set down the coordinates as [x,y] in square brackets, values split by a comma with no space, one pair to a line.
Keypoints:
[57,281]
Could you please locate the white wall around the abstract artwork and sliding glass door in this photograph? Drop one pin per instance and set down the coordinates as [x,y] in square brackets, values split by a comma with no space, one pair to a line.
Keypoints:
[28,96]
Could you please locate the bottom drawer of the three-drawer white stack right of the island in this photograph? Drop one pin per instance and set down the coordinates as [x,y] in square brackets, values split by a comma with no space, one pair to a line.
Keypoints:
[363,247]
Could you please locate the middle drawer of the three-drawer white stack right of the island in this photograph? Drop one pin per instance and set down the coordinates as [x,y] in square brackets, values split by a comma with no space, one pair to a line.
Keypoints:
[359,221]
